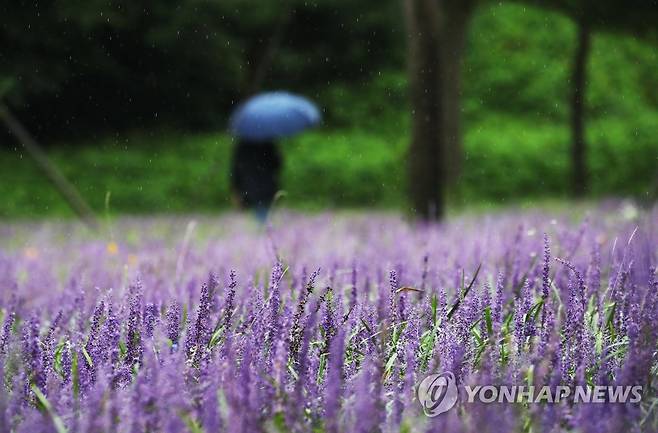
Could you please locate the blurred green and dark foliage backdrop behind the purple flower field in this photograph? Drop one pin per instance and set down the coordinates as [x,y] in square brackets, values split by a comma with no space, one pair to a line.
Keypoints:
[351,60]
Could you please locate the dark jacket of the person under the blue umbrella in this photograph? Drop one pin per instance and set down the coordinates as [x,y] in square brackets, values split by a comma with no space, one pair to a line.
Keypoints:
[255,173]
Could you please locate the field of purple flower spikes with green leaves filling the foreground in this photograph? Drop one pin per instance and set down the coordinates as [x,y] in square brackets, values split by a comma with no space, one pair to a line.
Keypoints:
[326,323]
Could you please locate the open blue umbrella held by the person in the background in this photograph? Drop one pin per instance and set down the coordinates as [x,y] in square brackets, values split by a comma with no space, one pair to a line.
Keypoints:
[273,115]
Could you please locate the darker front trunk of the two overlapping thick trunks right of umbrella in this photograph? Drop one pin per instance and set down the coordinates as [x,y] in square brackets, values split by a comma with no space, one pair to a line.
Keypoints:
[425,151]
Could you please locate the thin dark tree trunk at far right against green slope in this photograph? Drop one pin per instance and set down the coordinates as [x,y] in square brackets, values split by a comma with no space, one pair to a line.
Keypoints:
[579,82]
